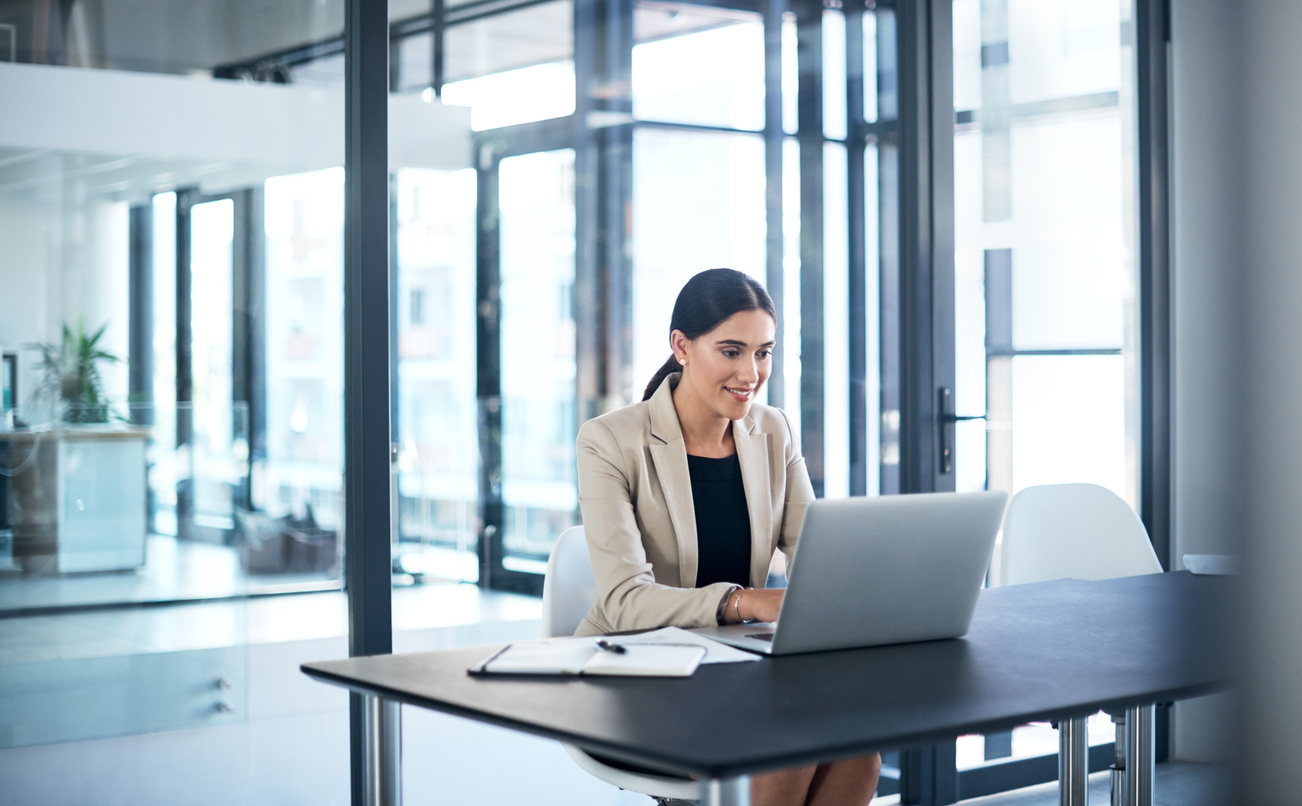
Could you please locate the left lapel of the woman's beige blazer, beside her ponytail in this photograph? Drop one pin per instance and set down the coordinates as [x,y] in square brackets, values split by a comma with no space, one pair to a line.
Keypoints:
[671,467]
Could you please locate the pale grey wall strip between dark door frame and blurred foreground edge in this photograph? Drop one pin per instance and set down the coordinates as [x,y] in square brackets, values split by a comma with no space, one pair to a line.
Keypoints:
[1208,317]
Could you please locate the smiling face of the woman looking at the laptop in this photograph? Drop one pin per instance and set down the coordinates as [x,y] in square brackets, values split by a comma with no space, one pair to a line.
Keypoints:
[726,368]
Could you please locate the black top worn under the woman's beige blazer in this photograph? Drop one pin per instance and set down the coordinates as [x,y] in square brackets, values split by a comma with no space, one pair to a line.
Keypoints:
[723,521]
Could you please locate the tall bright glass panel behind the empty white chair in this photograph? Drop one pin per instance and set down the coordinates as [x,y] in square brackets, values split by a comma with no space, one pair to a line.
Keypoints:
[1046,278]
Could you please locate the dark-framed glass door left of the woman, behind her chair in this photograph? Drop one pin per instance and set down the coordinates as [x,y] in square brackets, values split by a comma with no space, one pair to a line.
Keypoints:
[527,360]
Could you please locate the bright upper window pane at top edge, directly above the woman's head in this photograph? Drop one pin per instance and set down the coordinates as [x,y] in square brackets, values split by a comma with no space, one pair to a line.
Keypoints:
[699,66]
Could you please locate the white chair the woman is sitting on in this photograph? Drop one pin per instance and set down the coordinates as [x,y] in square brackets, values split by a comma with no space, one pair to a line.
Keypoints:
[568,592]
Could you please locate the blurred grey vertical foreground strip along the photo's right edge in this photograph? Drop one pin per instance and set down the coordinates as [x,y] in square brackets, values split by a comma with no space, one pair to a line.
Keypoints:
[1273,275]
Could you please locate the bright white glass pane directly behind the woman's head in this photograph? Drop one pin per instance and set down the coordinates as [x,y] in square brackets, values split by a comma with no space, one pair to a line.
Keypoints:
[699,202]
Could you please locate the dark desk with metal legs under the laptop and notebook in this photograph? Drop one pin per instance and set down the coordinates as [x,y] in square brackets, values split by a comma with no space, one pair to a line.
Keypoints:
[1055,650]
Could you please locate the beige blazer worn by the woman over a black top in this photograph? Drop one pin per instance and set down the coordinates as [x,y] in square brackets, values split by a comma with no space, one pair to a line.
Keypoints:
[636,495]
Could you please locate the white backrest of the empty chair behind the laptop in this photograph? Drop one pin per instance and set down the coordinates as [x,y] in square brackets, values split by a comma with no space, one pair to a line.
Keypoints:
[1084,532]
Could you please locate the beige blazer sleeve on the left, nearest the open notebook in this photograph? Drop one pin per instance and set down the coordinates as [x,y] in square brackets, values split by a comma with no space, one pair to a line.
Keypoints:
[628,597]
